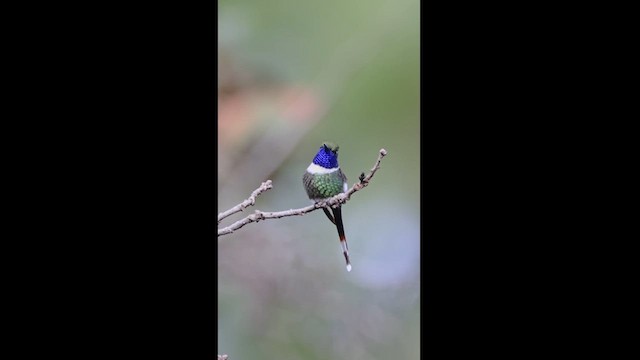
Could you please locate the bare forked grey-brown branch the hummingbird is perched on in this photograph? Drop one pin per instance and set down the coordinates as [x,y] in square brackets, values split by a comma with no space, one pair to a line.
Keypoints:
[261,215]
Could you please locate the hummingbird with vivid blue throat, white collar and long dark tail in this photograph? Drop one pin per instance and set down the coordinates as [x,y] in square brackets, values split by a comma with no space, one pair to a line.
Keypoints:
[324,179]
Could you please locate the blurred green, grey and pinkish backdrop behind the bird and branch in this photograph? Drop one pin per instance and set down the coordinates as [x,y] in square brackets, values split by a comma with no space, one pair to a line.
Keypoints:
[292,75]
